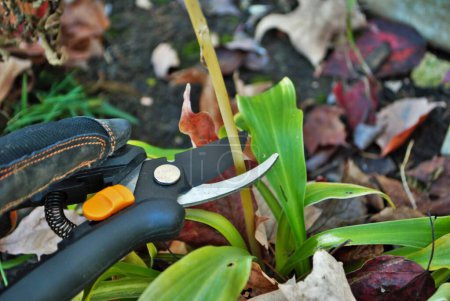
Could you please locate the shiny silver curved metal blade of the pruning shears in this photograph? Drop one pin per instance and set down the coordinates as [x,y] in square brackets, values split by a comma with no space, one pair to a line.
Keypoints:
[207,192]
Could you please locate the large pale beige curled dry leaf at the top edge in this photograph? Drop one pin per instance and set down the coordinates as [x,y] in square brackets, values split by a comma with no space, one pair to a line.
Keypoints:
[312,25]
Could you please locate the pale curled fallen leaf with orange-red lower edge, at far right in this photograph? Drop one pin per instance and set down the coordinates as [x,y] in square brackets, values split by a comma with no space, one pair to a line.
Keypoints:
[400,119]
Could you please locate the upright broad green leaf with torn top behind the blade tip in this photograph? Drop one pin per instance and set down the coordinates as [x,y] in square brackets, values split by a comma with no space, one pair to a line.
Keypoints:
[275,125]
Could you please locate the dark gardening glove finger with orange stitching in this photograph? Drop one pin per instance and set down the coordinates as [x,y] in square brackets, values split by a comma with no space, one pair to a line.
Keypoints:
[33,158]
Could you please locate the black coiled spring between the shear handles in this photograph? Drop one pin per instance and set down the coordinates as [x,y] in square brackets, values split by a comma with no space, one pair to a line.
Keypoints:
[54,214]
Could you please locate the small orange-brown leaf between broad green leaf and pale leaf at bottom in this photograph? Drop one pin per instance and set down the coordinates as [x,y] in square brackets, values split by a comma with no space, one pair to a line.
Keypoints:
[258,283]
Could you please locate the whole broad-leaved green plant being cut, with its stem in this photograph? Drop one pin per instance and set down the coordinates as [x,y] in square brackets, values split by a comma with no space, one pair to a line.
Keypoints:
[275,125]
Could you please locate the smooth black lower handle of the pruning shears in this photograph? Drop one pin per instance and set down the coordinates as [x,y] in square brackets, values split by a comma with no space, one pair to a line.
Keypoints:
[64,274]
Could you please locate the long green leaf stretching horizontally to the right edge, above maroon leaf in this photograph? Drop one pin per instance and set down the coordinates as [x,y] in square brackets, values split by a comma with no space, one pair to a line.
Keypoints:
[414,232]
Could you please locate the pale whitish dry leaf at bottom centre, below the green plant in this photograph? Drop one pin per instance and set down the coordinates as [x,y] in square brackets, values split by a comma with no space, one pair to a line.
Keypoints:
[327,281]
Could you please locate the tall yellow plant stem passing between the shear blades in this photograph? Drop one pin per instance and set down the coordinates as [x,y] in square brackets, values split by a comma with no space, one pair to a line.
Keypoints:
[209,55]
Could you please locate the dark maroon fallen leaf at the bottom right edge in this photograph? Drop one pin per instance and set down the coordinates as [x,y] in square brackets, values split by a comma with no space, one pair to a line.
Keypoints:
[391,278]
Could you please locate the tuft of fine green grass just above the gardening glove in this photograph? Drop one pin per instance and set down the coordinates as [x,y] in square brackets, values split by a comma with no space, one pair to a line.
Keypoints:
[65,99]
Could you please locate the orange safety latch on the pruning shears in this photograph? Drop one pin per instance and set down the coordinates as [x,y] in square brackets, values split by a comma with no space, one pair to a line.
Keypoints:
[107,202]
